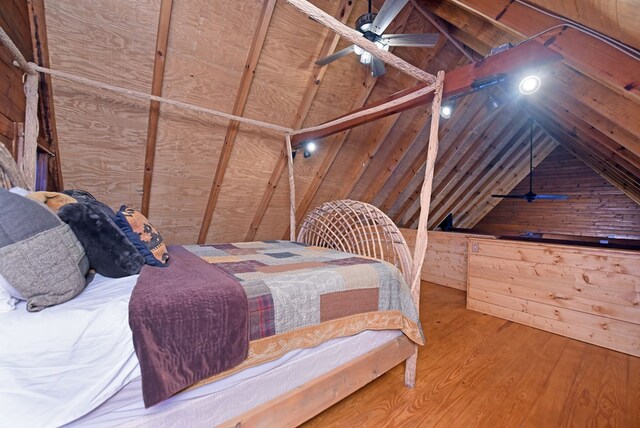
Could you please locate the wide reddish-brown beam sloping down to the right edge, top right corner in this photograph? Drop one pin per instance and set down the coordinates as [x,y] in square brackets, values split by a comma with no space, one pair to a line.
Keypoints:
[583,52]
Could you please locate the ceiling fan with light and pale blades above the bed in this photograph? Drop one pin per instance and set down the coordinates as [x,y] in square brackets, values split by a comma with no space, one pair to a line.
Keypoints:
[372,27]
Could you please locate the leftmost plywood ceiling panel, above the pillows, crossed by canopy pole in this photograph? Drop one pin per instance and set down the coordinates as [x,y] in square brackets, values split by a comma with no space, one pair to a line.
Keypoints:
[102,137]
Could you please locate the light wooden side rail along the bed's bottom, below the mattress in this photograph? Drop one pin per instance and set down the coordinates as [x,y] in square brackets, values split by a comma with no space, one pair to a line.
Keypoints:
[311,398]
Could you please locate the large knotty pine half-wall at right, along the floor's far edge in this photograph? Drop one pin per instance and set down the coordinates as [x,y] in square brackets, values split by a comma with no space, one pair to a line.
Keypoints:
[584,293]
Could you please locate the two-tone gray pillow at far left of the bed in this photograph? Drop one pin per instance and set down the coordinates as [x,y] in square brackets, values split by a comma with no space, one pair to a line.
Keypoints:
[39,254]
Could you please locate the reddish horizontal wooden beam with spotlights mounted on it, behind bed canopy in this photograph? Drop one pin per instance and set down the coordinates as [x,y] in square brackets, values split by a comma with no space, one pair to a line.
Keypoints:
[510,62]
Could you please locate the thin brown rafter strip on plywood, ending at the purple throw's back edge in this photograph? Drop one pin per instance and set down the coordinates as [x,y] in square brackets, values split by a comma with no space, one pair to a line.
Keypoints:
[238,108]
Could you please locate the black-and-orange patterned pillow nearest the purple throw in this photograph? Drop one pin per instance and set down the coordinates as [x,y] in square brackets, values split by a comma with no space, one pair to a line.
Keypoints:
[143,235]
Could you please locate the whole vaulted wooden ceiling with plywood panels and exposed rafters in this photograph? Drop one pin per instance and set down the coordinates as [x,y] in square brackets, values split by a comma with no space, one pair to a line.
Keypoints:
[256,59]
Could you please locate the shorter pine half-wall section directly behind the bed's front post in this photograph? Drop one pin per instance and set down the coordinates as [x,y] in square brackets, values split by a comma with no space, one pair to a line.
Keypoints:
[446,260]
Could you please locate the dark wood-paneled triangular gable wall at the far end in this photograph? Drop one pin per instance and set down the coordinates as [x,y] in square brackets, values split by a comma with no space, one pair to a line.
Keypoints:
[594,208]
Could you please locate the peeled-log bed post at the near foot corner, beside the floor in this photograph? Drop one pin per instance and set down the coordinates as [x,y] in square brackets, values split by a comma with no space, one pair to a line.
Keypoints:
[422,236]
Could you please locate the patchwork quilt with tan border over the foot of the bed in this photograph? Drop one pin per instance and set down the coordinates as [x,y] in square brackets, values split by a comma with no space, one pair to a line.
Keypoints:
[300,296]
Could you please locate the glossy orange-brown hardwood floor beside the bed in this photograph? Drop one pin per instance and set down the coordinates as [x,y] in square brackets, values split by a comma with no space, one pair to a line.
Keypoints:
[480,371]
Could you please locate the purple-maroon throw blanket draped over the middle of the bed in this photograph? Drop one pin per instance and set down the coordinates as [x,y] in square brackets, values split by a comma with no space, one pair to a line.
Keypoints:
[189,322]
